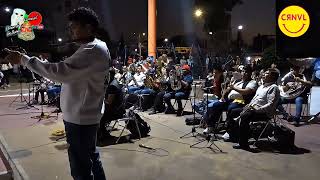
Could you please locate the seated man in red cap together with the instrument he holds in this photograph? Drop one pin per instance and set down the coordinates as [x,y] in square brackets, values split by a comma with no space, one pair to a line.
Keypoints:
[184,82]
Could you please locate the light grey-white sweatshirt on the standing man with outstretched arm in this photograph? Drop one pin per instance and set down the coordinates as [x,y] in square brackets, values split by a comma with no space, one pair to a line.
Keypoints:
[83,78]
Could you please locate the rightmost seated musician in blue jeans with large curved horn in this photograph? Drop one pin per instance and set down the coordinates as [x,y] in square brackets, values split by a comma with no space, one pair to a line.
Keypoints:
[302,89]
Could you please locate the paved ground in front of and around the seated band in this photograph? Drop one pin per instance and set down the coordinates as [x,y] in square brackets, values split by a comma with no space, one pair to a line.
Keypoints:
[38,156]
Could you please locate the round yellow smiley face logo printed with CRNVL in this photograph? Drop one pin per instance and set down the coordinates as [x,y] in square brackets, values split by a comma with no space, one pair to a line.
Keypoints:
[294,21]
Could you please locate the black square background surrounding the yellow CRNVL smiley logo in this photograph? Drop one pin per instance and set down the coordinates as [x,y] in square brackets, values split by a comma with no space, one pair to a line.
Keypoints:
[305,45]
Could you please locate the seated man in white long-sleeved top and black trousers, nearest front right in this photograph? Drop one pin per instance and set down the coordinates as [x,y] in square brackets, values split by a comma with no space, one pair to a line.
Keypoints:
[261,107]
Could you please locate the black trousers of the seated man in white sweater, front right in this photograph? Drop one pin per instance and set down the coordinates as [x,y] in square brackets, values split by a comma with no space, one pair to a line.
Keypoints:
[244,128]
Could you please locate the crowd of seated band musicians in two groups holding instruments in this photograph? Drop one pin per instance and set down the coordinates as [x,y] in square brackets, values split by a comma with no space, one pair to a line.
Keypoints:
[240,90]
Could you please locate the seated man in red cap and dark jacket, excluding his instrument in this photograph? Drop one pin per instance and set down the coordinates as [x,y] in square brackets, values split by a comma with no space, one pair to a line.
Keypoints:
[178,95]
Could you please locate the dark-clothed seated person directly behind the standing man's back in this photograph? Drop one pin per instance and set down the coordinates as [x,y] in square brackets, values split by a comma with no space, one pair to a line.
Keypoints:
[114,108]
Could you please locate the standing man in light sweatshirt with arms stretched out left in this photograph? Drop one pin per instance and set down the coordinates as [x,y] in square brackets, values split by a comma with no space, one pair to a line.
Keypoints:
[82,76]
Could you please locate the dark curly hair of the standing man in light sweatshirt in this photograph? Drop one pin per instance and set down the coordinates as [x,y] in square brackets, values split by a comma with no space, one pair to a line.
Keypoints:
[84,16]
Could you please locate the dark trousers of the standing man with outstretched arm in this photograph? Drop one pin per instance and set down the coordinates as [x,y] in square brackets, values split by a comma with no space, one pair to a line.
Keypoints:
[84,158]
